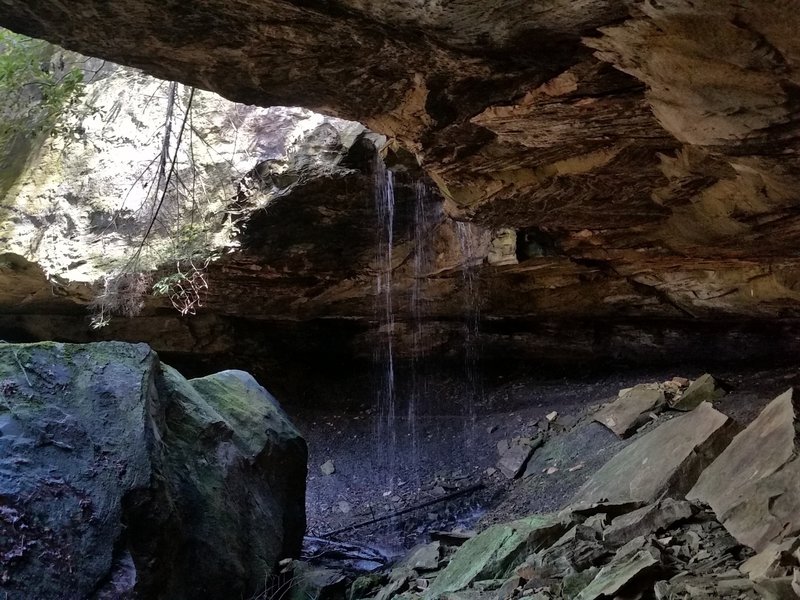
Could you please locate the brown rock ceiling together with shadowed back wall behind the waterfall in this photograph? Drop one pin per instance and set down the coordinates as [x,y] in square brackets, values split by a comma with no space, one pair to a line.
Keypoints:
[617,162]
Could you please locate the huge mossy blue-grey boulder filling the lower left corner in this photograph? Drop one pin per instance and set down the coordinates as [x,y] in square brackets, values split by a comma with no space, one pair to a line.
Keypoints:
[121,479]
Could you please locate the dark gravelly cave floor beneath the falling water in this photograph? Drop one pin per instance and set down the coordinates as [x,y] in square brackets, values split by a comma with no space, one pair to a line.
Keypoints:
[449,450]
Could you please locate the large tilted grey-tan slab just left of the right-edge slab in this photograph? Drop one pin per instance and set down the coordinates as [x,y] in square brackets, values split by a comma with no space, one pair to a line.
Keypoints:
[667,460]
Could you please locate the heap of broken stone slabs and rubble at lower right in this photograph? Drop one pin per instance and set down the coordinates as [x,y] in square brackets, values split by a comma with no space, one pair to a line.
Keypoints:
[633,532]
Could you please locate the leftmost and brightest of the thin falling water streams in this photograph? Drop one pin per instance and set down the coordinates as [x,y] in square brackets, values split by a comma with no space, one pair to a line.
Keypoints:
[387,401]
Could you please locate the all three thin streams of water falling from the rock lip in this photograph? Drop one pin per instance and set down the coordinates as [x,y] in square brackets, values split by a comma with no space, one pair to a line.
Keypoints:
[399,415]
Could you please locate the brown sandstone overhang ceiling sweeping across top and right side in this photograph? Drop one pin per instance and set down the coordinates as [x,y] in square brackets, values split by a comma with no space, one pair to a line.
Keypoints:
[654,143]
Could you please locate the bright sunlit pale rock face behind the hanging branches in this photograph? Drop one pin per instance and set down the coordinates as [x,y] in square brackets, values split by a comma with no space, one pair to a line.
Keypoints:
[83,204]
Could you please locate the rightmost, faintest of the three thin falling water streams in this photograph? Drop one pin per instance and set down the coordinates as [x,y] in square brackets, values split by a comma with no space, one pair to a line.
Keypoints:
[471,258]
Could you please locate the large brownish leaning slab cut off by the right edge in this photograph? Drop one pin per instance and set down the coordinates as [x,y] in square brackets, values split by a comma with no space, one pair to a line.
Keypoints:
[754,485]
